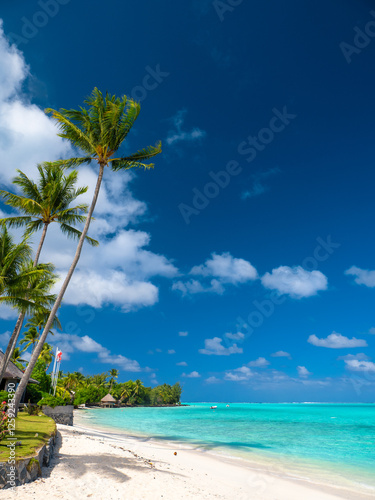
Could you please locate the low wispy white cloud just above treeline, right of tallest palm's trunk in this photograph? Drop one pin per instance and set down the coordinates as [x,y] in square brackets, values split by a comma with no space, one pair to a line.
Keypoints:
[70,343]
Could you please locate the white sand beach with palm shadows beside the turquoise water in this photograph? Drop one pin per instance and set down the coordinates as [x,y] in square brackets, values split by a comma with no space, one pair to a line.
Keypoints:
[97,465]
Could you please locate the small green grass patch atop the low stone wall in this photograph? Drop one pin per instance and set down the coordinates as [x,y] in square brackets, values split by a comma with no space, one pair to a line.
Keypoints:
[27,426]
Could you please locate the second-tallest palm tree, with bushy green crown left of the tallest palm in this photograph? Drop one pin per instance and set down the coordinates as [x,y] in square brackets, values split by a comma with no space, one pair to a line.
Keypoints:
[41,203]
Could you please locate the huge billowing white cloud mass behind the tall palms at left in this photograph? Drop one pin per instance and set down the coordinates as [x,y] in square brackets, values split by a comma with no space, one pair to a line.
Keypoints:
[27,137]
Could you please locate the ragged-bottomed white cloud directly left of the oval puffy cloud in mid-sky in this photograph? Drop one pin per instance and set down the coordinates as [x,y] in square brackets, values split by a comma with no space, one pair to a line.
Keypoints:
[217,272]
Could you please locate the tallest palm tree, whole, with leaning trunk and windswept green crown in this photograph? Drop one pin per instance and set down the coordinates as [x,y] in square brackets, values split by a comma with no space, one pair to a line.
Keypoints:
[99,131]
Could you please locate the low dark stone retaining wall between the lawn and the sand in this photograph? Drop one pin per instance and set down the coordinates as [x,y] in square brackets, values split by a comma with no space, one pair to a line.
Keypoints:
[27,470]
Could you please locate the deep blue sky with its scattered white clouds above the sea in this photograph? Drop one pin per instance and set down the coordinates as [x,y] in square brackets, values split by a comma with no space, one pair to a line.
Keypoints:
[243,264]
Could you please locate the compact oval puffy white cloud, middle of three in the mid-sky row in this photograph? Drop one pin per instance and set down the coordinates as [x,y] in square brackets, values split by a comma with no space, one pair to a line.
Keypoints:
[295,281]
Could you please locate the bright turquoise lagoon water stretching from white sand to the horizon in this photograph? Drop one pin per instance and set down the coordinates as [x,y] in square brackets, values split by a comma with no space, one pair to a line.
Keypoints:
[320,440]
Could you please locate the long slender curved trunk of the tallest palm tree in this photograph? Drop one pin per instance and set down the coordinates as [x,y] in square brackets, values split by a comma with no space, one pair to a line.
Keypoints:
[26,376]
